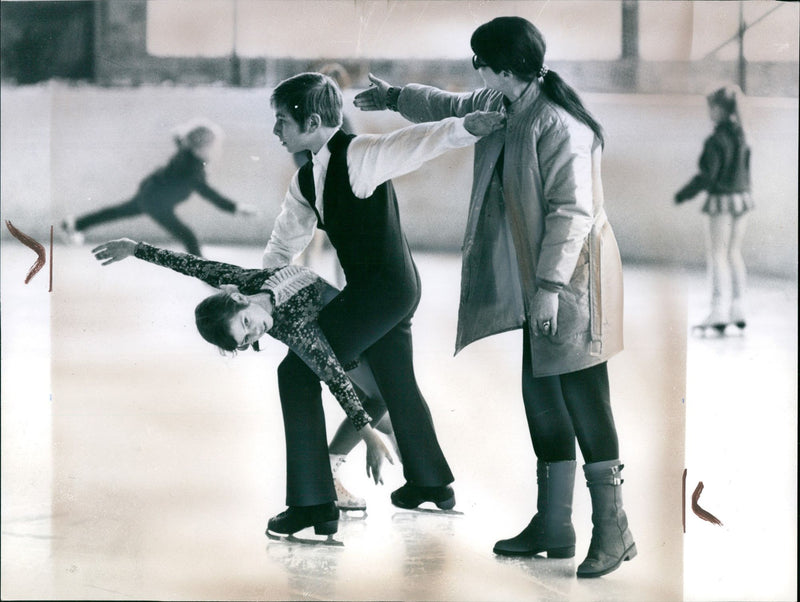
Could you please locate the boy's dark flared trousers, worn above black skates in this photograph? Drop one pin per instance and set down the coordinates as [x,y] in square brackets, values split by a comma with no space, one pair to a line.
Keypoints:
[378,325]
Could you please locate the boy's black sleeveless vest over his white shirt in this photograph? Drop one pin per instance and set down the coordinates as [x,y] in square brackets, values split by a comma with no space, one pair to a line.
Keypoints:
[366,233]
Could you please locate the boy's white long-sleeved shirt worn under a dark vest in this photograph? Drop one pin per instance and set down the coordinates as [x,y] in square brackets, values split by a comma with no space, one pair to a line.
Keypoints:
[372,159]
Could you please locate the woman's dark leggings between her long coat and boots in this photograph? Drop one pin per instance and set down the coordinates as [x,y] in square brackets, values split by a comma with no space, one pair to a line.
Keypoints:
[567,406]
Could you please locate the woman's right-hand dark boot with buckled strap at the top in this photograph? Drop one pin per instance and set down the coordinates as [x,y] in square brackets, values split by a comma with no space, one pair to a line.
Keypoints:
[612,542]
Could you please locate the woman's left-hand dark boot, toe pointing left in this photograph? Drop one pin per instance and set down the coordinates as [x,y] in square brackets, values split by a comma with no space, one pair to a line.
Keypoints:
[550,530]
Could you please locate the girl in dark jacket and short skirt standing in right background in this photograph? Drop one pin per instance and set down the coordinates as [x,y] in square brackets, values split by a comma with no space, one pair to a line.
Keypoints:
[725,175]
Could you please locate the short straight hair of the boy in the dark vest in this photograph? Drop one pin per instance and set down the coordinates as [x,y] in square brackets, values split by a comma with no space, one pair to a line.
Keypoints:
[308,93]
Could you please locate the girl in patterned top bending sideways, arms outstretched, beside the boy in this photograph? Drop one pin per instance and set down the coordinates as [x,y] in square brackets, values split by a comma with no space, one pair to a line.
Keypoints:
[283,303]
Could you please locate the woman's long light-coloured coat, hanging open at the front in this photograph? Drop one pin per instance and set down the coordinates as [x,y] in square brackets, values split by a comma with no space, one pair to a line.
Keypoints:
[539,224]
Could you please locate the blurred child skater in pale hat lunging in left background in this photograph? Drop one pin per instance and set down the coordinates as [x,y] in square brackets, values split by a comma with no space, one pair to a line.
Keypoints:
[161,191]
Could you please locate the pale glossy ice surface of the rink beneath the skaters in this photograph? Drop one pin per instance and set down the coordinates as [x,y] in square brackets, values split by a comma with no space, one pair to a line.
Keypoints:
[138,463]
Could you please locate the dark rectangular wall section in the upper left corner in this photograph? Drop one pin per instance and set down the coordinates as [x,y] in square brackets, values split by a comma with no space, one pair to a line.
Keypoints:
[43,40]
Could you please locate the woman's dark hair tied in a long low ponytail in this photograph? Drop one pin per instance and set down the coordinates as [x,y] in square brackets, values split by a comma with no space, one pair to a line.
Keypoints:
[515,44]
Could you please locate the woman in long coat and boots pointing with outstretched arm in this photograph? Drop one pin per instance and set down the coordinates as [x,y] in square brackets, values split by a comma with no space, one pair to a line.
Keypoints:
[539,254]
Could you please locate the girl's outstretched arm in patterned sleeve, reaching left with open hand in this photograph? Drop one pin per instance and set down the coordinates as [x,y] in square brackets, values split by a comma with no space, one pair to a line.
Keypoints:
[210,272]
